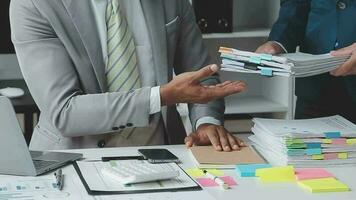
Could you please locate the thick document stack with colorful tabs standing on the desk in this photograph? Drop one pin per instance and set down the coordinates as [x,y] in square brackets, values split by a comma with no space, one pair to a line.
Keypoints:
[327,141]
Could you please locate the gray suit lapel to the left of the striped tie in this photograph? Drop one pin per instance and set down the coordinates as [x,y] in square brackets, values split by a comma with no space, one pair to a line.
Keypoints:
[83,19]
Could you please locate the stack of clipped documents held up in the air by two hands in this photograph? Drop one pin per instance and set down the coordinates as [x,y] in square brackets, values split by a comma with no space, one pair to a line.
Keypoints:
[296,64]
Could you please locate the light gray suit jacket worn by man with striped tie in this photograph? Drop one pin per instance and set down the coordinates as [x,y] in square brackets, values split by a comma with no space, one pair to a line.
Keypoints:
[60,56]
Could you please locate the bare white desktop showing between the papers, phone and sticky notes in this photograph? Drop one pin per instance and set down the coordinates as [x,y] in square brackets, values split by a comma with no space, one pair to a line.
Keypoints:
[248,188]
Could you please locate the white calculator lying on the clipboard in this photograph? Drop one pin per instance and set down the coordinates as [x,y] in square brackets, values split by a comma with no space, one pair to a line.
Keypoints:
[139,171]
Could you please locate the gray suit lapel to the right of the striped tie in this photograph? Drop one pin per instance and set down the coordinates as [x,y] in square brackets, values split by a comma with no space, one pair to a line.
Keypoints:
[155,19]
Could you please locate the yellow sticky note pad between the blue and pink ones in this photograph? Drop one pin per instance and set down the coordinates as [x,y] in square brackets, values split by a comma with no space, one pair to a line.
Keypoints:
[276,174]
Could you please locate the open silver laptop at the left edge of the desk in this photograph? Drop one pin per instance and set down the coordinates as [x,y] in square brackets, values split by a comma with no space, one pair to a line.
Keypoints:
[15,157]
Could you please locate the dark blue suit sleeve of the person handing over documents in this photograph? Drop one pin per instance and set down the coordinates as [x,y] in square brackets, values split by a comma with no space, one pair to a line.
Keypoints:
[289,29]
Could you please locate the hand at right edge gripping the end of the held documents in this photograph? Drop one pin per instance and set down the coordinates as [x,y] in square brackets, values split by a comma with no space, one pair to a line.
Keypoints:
[349,67]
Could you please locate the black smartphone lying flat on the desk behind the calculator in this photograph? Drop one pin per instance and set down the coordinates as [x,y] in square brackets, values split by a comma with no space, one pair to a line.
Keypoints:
[158,155]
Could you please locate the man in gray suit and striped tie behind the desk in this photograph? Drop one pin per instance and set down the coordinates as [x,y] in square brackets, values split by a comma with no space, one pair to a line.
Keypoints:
[101,72]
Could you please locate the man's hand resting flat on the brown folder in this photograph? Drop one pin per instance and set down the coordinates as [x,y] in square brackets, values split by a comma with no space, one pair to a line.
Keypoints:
[216,135]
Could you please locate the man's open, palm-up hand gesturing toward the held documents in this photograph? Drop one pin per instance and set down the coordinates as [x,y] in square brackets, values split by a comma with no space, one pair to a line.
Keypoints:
[186,88]
